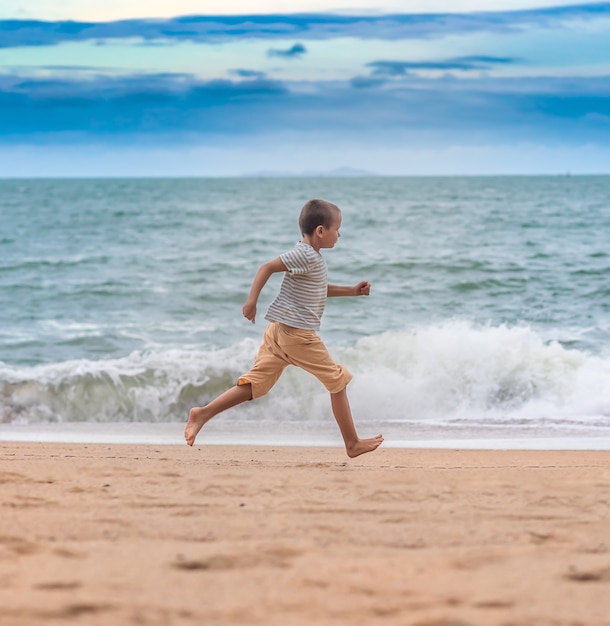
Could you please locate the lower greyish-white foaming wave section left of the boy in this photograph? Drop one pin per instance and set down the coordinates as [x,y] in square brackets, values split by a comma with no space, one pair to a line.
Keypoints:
[154,386]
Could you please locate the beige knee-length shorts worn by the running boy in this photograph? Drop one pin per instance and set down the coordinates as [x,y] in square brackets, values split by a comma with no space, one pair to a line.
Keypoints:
[283,346]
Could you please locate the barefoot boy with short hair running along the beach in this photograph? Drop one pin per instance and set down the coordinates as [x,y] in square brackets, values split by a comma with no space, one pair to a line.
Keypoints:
[291,337]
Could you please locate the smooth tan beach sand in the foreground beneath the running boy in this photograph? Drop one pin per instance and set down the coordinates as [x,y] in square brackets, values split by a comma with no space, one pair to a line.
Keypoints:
[141,534]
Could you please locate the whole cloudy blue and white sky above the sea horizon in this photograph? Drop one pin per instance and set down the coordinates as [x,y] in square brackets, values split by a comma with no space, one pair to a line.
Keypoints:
[185,88]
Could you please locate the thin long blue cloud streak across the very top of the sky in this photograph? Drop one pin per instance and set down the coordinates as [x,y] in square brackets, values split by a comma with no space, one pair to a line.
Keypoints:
[314,26]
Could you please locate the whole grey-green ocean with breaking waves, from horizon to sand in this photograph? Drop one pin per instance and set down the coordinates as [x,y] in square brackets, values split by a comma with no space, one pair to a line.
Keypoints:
[488,320]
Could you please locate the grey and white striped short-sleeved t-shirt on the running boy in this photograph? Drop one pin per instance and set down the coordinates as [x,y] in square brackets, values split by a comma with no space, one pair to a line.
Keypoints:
[302,296]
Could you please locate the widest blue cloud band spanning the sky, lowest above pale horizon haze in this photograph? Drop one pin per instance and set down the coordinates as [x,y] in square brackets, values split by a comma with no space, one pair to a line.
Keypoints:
[165,107]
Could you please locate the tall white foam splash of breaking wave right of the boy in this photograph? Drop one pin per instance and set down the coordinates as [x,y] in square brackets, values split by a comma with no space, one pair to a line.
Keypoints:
[479,375]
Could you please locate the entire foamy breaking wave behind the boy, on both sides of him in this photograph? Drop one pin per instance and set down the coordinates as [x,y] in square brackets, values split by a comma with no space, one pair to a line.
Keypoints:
[443,374]
